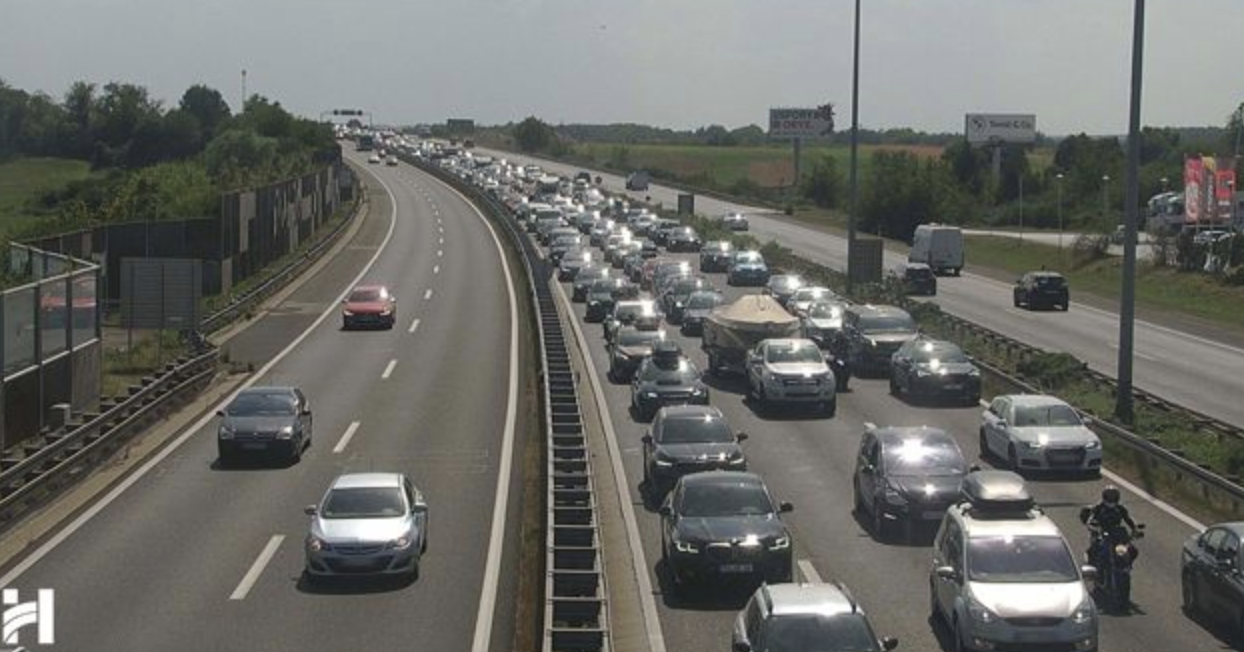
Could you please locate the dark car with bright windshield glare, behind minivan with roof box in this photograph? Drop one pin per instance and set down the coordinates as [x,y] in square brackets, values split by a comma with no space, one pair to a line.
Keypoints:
[906,477]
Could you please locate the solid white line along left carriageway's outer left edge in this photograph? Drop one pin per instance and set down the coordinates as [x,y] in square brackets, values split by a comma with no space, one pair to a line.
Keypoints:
[94,511]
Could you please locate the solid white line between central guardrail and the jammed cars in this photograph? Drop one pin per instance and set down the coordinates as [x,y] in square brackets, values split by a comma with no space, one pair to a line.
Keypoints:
[649,604]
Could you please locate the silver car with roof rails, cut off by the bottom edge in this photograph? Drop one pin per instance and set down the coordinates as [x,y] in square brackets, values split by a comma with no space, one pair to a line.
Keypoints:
[789,618]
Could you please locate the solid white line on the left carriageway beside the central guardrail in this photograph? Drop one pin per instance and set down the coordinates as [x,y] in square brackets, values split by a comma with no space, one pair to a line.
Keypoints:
[486,617]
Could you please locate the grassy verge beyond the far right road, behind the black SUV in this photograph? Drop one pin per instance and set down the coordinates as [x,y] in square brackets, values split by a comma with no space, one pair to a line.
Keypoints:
[1160,289]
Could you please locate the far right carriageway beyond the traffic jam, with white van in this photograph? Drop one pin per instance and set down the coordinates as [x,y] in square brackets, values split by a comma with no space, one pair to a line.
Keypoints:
[1191,366]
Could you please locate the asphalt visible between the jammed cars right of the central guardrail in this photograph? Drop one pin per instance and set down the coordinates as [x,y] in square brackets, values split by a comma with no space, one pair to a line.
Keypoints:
[809,461]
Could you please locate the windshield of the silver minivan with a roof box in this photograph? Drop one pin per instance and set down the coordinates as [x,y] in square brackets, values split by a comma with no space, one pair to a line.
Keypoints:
[1021,561]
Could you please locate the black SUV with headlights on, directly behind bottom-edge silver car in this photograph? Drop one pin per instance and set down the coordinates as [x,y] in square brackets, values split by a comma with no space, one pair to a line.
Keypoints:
[725,526]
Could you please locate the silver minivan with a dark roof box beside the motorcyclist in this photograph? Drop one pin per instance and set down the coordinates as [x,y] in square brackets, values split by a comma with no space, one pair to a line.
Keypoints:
[1003,575]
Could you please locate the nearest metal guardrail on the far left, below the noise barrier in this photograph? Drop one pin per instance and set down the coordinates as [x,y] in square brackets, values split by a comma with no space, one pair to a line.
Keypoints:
[67,451]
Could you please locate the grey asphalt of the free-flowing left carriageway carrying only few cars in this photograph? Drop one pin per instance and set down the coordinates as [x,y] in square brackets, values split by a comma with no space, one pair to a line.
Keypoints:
[192,557]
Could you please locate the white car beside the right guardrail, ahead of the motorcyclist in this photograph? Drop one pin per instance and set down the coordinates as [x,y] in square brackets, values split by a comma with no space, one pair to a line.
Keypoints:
[1036,432]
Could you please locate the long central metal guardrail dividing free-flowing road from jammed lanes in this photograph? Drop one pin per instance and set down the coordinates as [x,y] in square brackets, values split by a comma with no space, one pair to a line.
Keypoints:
[577,617]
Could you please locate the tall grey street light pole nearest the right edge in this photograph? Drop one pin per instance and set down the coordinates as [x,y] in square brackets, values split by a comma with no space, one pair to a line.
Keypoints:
[1124,407]
